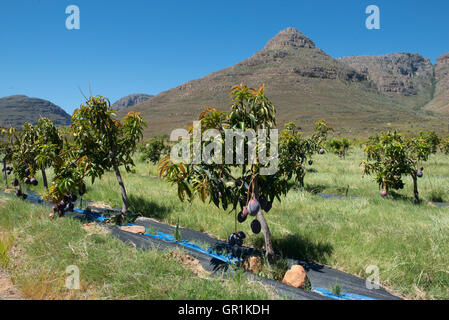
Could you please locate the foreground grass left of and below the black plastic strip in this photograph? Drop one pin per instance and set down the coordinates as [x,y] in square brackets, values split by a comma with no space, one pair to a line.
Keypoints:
[109,268]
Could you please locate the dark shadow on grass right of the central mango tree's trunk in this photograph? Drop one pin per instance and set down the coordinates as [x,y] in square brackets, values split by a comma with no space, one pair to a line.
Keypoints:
[297,247]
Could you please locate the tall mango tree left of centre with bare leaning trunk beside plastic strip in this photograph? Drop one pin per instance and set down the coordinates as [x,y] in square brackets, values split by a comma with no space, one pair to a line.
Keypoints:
[104,143]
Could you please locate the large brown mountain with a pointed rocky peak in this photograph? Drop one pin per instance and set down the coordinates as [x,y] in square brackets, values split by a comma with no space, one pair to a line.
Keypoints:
[356,95]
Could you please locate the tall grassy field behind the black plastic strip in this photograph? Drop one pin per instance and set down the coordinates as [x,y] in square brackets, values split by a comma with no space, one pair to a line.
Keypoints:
[409,243]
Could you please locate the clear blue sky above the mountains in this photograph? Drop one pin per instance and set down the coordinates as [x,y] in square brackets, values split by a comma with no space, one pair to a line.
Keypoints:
[144,46]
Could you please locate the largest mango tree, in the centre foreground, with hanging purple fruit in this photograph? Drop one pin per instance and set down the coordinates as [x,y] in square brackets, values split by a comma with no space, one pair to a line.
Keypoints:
[248,180]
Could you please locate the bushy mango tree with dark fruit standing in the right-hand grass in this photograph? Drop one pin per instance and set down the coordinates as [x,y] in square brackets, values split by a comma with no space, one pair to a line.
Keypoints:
[390,156]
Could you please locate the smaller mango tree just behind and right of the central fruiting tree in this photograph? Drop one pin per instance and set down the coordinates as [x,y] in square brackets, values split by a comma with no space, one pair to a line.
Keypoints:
[296,151]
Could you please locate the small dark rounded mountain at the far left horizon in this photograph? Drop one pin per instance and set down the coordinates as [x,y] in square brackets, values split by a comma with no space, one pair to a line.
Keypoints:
[15,110]
